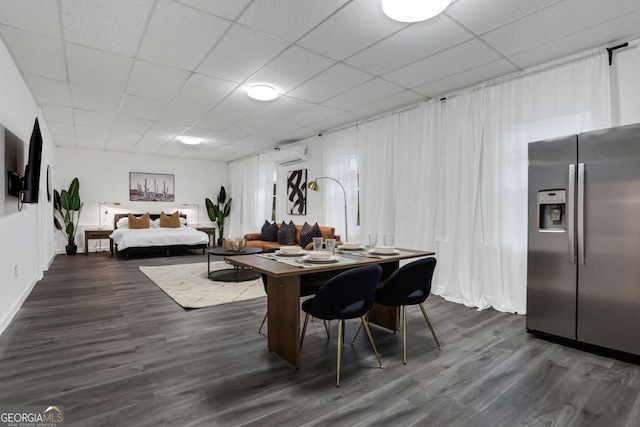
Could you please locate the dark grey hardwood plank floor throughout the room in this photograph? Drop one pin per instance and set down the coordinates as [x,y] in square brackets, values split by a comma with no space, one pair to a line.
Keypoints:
[98,337]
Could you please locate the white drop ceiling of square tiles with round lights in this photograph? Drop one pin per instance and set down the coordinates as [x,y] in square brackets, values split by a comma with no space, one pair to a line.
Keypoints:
[131,76]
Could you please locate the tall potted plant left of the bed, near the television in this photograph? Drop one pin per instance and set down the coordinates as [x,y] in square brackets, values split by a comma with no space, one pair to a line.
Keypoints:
[67,205]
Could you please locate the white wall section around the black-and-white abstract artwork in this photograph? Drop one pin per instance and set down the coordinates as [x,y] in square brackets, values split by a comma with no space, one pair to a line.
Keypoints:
[315,200]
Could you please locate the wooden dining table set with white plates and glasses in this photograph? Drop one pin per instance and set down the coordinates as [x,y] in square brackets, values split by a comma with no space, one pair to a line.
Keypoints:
[284,282]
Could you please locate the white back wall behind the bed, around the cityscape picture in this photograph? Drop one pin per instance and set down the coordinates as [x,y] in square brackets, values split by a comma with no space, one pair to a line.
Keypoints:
[104,176]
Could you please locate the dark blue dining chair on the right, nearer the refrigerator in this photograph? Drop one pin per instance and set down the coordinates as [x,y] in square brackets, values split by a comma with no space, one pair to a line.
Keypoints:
[408,285]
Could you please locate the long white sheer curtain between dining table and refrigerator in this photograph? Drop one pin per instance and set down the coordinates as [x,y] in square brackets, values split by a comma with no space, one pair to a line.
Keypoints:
[452,176]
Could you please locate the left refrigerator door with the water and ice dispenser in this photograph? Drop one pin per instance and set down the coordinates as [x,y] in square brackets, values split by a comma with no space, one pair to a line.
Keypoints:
[551,261]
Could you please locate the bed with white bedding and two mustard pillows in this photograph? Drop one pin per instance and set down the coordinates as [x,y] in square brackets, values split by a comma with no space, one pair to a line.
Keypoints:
[155,238]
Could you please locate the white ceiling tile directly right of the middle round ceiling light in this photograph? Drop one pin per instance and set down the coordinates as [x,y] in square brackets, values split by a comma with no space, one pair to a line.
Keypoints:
[329,83]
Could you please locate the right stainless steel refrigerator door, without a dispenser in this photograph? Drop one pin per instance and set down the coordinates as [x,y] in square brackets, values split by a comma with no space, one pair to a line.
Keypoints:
[609,241]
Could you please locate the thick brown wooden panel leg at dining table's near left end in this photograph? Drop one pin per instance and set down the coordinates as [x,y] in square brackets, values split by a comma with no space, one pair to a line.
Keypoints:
[283,307]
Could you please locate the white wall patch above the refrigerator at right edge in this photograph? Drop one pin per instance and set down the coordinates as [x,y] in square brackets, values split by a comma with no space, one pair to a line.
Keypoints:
[625,85]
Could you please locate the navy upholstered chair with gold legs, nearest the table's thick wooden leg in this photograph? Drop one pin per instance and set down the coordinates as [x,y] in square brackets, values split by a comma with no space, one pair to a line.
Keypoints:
[349,295]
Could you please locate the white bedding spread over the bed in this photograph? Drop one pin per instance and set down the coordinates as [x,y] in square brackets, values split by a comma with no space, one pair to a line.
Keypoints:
[149,237]
